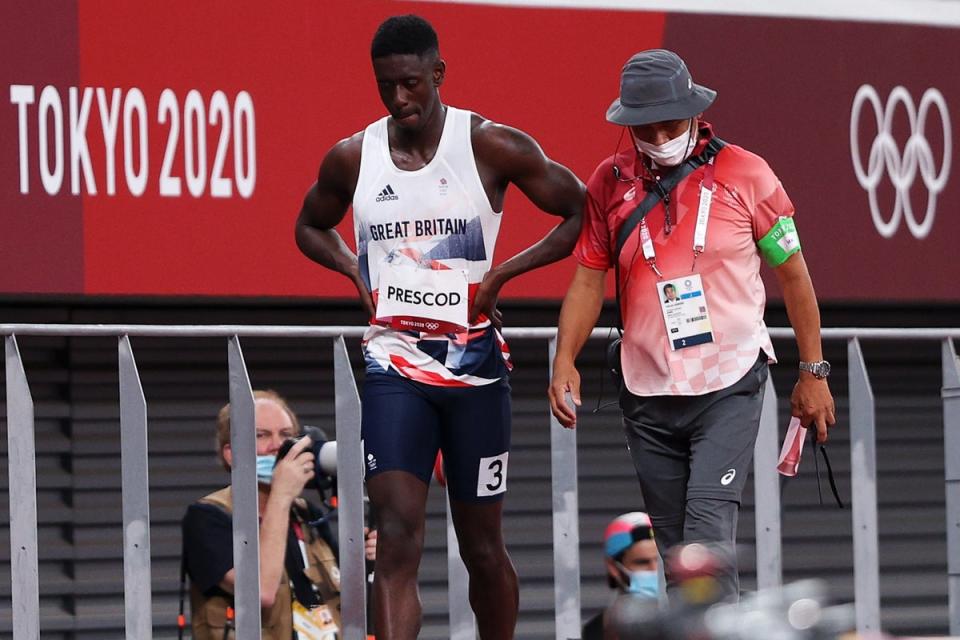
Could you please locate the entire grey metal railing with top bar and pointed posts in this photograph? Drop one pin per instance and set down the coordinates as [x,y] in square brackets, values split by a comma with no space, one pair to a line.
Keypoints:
[136,517]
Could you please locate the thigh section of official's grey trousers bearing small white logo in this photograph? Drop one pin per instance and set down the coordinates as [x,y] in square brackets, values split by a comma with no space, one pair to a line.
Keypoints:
[721,447]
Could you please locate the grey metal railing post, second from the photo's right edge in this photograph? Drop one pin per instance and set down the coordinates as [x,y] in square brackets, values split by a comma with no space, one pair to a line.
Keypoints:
[863,476]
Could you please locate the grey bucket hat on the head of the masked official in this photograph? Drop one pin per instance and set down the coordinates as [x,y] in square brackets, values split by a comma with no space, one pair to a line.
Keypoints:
[656,86]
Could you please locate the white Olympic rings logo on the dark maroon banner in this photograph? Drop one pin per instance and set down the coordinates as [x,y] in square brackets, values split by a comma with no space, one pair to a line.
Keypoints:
[885,157]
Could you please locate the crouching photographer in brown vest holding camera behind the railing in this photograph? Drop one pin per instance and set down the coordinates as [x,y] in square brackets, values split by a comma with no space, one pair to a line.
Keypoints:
[299,578]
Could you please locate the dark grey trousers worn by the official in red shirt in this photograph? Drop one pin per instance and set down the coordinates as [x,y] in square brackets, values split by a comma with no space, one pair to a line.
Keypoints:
[692,455]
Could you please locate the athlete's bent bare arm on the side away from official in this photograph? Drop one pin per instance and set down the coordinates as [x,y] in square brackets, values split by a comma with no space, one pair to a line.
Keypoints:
[324,206]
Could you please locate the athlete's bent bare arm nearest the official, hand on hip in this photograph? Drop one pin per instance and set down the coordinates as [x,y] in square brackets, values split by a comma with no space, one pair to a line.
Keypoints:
[515,157]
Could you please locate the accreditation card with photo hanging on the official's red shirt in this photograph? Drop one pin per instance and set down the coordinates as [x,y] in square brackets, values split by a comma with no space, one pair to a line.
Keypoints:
[684,307]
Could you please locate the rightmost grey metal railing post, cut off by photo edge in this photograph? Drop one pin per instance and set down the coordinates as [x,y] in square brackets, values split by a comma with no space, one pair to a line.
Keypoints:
[951,449]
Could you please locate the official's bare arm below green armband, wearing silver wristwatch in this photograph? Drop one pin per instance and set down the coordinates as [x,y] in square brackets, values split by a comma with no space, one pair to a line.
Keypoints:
[811,400]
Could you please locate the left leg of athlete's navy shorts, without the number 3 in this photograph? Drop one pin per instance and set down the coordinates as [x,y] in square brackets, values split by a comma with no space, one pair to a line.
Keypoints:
[399,427]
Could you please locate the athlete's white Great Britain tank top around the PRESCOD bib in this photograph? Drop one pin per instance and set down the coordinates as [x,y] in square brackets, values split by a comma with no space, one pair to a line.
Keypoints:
[436,217]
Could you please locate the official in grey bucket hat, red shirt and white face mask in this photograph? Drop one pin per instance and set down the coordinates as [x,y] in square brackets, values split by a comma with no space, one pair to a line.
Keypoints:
[690,423]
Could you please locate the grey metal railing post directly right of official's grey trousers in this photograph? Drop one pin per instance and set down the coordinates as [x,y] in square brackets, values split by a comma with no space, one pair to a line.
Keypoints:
[766,483]
